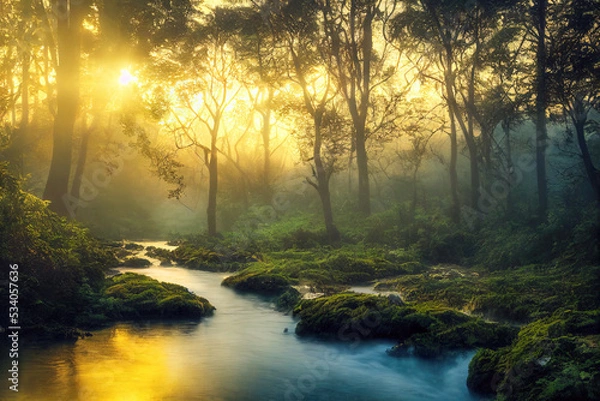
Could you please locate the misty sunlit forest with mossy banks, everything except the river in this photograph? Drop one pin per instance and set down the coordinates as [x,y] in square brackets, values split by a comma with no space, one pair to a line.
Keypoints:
[444,152]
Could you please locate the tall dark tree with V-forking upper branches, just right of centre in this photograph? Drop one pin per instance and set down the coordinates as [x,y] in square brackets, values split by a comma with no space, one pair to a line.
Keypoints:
[358,59]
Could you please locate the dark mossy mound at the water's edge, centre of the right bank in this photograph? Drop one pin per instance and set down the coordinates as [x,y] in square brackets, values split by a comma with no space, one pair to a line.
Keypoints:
[430,331]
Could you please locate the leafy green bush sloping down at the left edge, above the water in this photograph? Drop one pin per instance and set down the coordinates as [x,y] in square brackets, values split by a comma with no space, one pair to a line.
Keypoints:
[61,268]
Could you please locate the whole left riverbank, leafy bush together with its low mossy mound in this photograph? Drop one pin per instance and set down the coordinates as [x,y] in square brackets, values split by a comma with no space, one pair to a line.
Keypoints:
[62,272]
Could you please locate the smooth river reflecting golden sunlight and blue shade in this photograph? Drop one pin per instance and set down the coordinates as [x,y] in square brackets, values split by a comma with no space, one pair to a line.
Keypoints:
[240,354]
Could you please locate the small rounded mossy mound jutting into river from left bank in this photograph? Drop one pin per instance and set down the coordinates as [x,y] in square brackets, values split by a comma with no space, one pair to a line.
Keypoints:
[130,296]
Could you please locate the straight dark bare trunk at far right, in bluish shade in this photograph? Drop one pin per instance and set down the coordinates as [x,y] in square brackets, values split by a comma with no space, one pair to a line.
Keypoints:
[541,135]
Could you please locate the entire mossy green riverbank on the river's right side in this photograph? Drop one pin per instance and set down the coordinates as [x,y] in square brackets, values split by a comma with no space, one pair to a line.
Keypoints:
[441,309]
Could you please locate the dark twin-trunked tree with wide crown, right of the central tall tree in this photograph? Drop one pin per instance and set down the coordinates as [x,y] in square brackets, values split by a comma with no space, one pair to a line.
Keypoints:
[454,35]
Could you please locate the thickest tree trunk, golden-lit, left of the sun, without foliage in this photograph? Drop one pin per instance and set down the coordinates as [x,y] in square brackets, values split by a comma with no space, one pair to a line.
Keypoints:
[67,83]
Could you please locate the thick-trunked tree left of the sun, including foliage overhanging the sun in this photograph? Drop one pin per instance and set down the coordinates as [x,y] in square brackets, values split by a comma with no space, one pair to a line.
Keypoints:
[141,27]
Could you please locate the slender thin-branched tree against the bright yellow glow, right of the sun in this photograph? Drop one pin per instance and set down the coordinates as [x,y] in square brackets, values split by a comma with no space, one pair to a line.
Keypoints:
[205,90]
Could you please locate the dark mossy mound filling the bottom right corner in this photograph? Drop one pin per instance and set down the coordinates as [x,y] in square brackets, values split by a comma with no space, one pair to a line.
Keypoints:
[555,358]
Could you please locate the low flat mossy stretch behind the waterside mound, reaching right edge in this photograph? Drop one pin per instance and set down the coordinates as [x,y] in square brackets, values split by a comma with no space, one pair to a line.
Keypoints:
[519,295]
